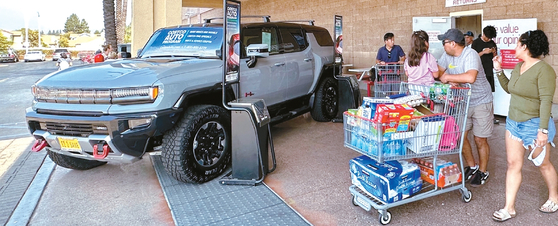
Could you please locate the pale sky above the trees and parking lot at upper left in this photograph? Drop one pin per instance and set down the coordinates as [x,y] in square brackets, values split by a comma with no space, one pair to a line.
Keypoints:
[53,13]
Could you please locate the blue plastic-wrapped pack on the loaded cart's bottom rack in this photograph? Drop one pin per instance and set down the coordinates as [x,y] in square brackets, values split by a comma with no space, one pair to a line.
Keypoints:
[389,182]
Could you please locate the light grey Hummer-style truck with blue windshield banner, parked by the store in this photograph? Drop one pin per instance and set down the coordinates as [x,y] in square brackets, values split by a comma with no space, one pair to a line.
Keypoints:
[169,98]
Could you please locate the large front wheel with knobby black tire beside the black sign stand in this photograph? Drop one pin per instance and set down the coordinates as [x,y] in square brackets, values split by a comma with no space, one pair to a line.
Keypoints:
[198,148]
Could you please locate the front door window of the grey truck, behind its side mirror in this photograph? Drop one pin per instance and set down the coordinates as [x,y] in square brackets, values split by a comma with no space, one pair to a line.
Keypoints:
[262,35]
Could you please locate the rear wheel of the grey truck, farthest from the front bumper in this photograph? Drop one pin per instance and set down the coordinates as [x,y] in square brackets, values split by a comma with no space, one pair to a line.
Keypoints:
[325,104]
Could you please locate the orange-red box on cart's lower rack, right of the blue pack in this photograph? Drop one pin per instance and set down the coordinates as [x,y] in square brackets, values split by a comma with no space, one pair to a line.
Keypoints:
[445,172]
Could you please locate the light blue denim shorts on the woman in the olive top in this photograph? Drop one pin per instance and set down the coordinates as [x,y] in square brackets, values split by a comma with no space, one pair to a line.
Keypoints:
[527,131]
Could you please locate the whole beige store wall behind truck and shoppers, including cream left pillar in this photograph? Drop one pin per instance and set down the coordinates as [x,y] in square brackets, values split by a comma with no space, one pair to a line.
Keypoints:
[364,22]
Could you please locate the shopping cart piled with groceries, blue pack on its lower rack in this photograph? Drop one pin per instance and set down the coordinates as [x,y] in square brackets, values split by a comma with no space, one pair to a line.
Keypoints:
[403,139]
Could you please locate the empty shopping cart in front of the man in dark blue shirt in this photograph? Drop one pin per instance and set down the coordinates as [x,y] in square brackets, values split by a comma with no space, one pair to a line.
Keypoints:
[388,79]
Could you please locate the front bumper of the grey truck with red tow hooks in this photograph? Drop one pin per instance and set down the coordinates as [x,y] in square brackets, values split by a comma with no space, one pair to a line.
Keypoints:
[126,144]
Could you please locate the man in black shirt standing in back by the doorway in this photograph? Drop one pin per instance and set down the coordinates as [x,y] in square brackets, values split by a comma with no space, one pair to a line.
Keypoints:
[487,50]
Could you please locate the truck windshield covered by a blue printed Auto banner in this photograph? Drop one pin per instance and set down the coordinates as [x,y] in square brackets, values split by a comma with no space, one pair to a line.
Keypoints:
[184,42]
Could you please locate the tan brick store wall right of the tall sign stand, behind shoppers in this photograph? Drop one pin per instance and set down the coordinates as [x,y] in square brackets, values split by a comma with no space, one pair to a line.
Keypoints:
[365,22]
